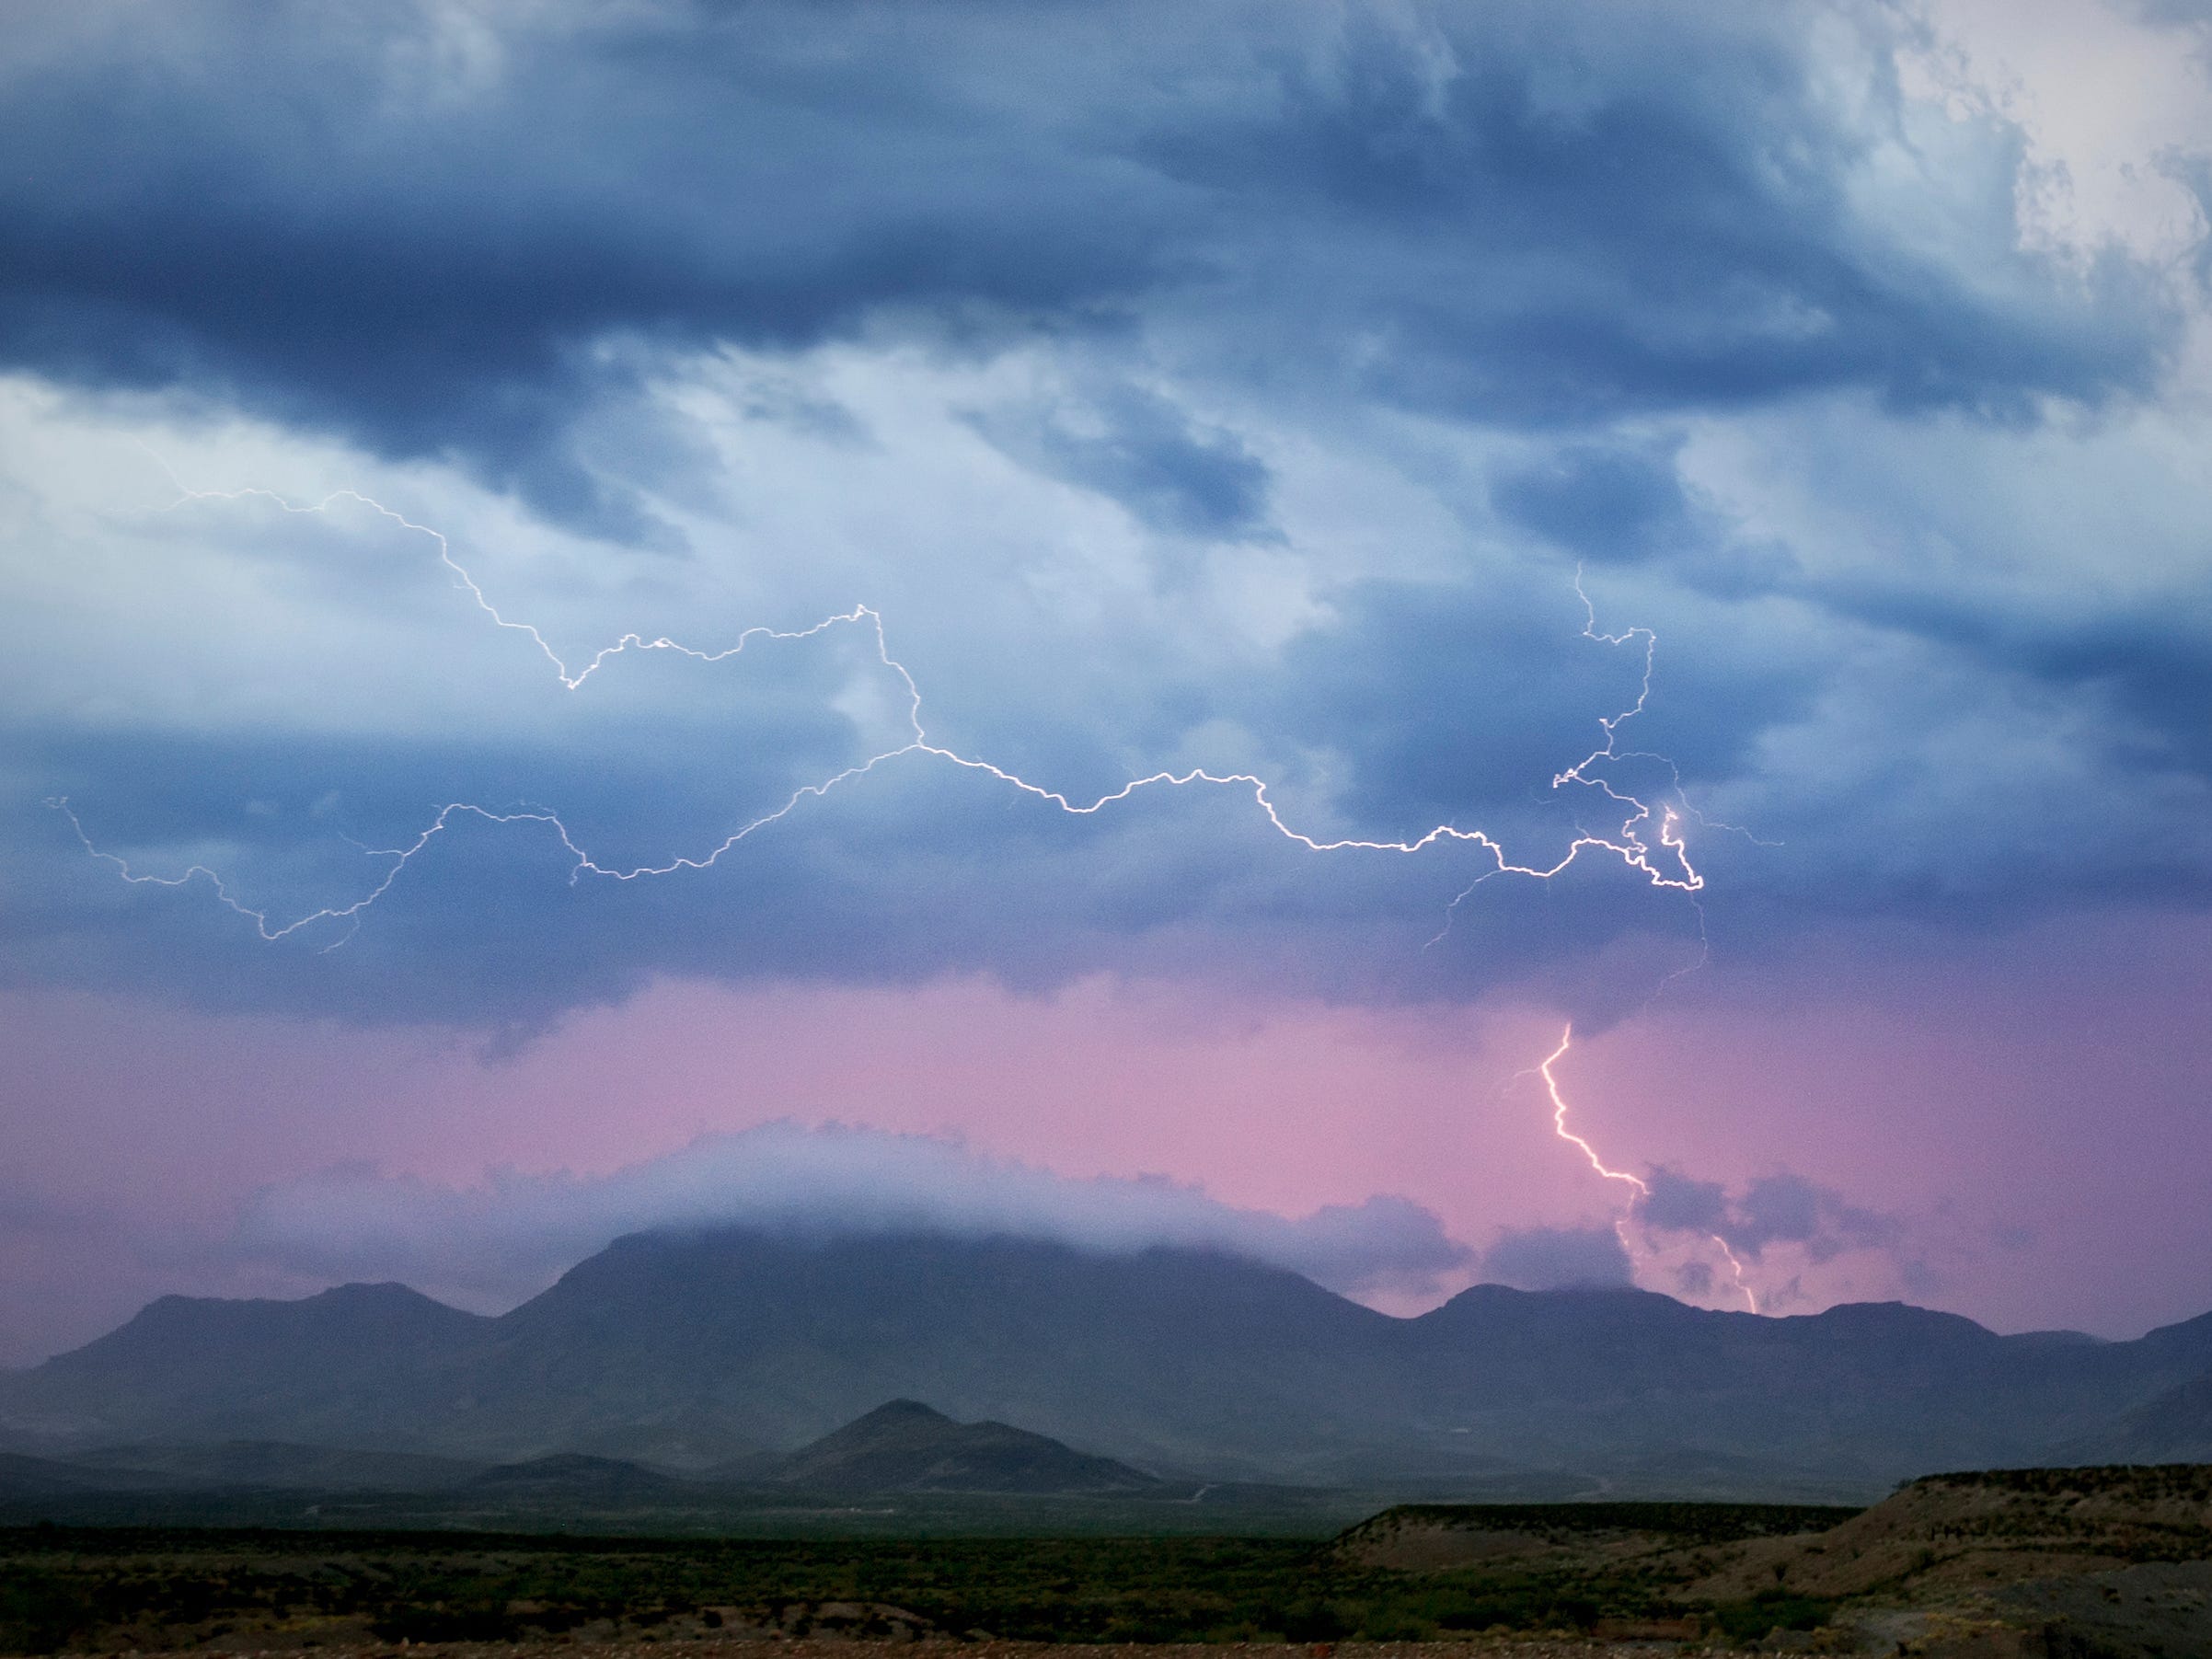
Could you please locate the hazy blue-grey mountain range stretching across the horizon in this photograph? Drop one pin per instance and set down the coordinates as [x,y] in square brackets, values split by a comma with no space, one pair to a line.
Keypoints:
[731,1350]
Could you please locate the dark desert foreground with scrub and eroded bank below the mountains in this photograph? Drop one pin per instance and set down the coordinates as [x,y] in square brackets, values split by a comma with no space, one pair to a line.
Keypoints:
[2109,1561]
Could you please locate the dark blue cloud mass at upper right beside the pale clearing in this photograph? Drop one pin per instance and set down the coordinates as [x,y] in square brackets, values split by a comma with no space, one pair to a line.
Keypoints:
[1665,225]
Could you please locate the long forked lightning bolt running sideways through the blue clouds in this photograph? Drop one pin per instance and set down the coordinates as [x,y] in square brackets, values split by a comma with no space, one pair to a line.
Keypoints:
[1665,866]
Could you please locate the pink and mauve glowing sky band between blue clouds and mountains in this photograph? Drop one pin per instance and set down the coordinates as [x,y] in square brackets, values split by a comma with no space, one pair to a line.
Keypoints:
[2034,1167]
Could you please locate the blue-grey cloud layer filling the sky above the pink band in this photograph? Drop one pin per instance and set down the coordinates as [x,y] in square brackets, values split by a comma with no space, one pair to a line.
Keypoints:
[1346,335]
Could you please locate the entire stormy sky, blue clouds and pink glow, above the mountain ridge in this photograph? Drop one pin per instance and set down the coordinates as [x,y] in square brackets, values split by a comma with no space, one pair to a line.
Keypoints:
[572,578]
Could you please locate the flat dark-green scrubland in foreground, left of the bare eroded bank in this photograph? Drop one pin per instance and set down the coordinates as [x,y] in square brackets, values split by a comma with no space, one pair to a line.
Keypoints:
[83,1589]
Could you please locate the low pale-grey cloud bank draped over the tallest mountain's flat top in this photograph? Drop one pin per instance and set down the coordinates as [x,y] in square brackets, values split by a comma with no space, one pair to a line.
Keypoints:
[514,1233]
